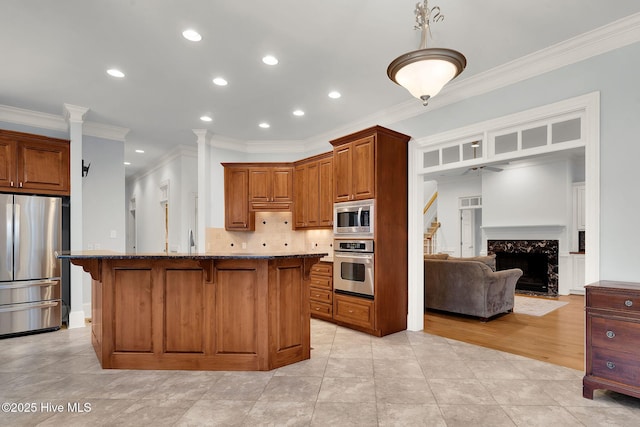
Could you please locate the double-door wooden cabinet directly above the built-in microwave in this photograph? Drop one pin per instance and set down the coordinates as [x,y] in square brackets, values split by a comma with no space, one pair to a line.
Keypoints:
[354,169]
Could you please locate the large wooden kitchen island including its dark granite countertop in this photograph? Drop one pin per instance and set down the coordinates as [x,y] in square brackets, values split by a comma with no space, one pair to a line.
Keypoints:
[199,312]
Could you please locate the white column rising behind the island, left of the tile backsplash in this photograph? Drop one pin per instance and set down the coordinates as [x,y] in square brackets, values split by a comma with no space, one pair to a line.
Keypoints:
[204,184]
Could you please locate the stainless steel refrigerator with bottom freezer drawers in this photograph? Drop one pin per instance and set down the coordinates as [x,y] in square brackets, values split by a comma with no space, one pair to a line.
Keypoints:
[30,234]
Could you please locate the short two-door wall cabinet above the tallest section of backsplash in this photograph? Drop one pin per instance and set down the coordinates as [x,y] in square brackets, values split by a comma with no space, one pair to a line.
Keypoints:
[270,188]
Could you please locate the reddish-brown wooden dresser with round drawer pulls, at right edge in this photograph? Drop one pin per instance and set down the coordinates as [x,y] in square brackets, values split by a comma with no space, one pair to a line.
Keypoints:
[612,338]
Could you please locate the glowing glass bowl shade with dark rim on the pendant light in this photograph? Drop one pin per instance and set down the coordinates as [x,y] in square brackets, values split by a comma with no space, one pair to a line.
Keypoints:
[424,72]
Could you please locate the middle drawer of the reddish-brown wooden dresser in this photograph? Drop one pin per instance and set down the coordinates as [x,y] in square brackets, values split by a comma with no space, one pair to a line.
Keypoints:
[616,335]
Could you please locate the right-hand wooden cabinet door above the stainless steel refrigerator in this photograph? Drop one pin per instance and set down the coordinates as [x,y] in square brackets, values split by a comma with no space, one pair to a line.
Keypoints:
[43,166]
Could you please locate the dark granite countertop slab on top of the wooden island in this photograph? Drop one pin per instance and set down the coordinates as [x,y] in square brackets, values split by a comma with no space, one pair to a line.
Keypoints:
[198,256]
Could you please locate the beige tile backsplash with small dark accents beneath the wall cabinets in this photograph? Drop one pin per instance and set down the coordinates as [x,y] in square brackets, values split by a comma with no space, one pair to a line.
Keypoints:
[273,233]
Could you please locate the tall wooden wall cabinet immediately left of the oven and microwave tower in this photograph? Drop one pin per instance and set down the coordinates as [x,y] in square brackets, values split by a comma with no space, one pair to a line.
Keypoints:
[313,192]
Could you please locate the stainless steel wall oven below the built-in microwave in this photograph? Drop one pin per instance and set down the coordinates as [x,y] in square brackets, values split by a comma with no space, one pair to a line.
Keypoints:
[353,267]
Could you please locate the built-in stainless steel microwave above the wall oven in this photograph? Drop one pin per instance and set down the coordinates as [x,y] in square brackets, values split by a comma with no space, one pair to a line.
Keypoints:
[353,219]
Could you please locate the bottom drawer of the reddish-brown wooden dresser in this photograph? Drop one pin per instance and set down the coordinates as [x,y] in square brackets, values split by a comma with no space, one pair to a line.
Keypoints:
[615,366]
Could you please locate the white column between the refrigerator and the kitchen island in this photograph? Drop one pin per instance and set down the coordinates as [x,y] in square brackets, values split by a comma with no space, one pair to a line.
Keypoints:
[74,116]
